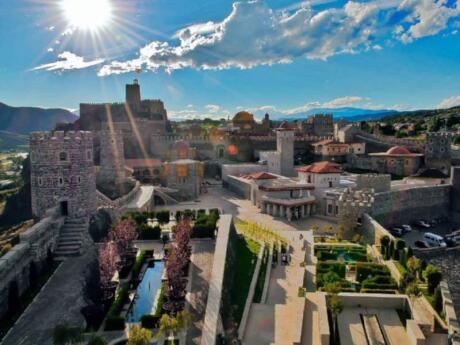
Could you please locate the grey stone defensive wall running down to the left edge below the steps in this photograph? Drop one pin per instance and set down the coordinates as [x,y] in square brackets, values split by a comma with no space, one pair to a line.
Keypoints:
[25,260]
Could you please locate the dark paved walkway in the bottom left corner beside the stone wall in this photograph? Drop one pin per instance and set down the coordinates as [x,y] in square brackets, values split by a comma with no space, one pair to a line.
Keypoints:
[59,302]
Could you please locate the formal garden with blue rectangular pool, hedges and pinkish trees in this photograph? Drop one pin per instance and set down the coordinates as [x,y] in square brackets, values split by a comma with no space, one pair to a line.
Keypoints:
[130,289]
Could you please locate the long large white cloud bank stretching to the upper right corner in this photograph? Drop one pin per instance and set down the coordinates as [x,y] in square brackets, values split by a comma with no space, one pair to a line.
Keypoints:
[254,34]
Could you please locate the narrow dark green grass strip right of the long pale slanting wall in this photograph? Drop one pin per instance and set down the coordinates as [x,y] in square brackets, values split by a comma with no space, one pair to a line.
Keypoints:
[246,259]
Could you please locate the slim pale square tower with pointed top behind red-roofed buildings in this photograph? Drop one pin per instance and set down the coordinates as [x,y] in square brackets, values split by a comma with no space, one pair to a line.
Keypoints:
[285,149]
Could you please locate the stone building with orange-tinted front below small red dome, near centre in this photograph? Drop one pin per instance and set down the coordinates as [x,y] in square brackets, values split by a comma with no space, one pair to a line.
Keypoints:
[185,176]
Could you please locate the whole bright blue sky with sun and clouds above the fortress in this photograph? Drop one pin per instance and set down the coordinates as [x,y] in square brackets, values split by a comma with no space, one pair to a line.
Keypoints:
[214,57]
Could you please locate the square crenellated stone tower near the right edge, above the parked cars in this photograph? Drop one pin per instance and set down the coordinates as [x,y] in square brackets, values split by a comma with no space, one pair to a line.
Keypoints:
[437,151]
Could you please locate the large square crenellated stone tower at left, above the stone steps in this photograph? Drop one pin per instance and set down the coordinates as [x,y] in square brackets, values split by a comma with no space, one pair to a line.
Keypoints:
[62,173]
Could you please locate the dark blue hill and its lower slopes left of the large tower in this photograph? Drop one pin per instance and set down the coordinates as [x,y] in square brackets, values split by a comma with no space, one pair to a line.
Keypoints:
[17,122]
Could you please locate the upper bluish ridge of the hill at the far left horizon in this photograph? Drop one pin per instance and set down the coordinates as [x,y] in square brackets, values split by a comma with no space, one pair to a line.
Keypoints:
[23,120]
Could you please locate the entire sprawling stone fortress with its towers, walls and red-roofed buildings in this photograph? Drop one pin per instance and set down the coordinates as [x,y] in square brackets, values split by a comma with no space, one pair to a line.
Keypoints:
[136,135]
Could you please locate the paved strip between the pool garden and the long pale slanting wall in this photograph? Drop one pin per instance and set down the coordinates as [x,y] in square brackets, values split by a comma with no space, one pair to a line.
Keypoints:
[202,259]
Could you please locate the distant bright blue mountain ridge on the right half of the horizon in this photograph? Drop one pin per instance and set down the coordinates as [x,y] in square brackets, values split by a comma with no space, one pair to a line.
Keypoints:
[349,113]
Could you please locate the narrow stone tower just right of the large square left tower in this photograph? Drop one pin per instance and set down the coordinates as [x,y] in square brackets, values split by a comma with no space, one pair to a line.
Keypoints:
[112,160]
